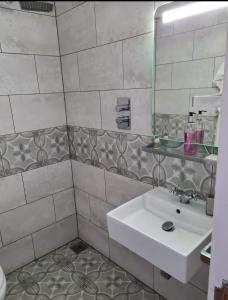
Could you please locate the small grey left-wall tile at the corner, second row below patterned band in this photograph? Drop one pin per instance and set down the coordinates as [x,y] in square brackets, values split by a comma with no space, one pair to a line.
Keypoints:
[64,204]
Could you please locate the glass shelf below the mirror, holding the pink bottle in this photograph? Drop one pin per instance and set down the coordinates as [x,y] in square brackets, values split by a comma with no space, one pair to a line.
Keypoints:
[175,148]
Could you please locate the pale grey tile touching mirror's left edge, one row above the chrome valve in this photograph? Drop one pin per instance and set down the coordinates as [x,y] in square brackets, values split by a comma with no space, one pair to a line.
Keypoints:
[138,61]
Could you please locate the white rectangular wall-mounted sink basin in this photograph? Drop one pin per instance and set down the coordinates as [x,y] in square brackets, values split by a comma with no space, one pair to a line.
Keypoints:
[138,226]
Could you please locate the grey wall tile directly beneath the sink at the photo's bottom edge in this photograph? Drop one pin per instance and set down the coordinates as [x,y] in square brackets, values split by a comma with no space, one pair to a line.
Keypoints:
[175,290]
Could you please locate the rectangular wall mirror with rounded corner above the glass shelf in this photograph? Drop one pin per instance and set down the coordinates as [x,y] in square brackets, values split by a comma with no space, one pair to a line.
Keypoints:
[189,69]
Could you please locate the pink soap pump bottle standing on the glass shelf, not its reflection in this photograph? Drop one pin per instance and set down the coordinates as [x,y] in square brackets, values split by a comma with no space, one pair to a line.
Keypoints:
[190,136]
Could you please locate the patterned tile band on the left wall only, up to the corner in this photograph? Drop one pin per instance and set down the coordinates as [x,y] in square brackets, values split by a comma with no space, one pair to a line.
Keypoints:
[20,152]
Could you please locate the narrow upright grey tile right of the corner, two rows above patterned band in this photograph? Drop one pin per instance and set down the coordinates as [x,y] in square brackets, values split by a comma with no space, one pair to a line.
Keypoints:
[70,72]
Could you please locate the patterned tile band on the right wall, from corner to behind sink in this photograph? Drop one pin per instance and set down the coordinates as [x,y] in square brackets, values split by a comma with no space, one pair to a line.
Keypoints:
[122,153]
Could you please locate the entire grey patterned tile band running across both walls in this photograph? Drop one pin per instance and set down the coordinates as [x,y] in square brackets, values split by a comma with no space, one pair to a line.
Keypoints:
[116,152]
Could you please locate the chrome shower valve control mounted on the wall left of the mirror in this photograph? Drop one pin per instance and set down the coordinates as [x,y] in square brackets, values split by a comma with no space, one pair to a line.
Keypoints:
[123,110]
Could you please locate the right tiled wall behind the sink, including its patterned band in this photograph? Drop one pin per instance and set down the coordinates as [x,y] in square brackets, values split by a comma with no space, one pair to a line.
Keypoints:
[106,52]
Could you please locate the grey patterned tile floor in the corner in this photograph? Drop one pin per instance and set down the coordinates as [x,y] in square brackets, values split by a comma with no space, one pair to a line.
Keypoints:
[65,275]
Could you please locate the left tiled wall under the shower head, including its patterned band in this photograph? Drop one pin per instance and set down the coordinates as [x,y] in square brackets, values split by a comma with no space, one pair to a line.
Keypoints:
[37,209]
